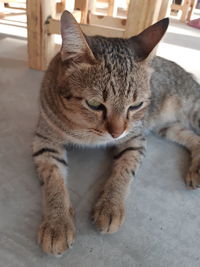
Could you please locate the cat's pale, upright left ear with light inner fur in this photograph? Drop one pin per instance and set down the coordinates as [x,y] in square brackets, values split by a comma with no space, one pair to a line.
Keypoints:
[74,45]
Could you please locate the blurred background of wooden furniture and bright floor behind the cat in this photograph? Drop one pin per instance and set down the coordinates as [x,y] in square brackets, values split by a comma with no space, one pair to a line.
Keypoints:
[114,18]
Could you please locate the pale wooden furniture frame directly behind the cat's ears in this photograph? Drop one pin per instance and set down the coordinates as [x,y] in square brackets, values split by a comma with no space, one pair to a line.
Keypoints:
[42,25]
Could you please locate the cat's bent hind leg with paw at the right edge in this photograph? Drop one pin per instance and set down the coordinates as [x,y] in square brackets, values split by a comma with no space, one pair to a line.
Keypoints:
[186,137]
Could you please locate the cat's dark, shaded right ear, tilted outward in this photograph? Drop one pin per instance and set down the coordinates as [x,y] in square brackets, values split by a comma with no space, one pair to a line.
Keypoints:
[145,42]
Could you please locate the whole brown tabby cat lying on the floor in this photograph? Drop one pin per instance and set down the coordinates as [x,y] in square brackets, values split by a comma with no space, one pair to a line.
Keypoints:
[108,91]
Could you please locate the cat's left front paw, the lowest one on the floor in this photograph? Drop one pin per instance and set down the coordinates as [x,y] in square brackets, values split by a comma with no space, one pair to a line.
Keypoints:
[56,236]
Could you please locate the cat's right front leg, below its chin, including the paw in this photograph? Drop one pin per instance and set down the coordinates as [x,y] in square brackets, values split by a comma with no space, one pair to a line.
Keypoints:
[109,212]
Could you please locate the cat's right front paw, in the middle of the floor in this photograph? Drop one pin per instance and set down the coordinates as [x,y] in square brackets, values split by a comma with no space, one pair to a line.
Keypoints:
[108,215]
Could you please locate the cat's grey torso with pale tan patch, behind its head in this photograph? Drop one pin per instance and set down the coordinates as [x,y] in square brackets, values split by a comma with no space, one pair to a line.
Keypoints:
[175,96]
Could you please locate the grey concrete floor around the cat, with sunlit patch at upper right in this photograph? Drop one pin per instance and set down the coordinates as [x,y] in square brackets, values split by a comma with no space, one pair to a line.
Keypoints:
[162,227]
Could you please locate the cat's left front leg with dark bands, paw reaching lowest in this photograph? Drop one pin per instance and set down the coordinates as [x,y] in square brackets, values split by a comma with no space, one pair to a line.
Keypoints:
[57,230]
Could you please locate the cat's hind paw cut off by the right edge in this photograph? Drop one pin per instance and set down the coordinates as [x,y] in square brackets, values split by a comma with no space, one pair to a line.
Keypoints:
[193,176]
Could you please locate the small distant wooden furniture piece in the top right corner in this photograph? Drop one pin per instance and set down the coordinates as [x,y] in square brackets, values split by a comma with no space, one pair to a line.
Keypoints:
[186,8]
